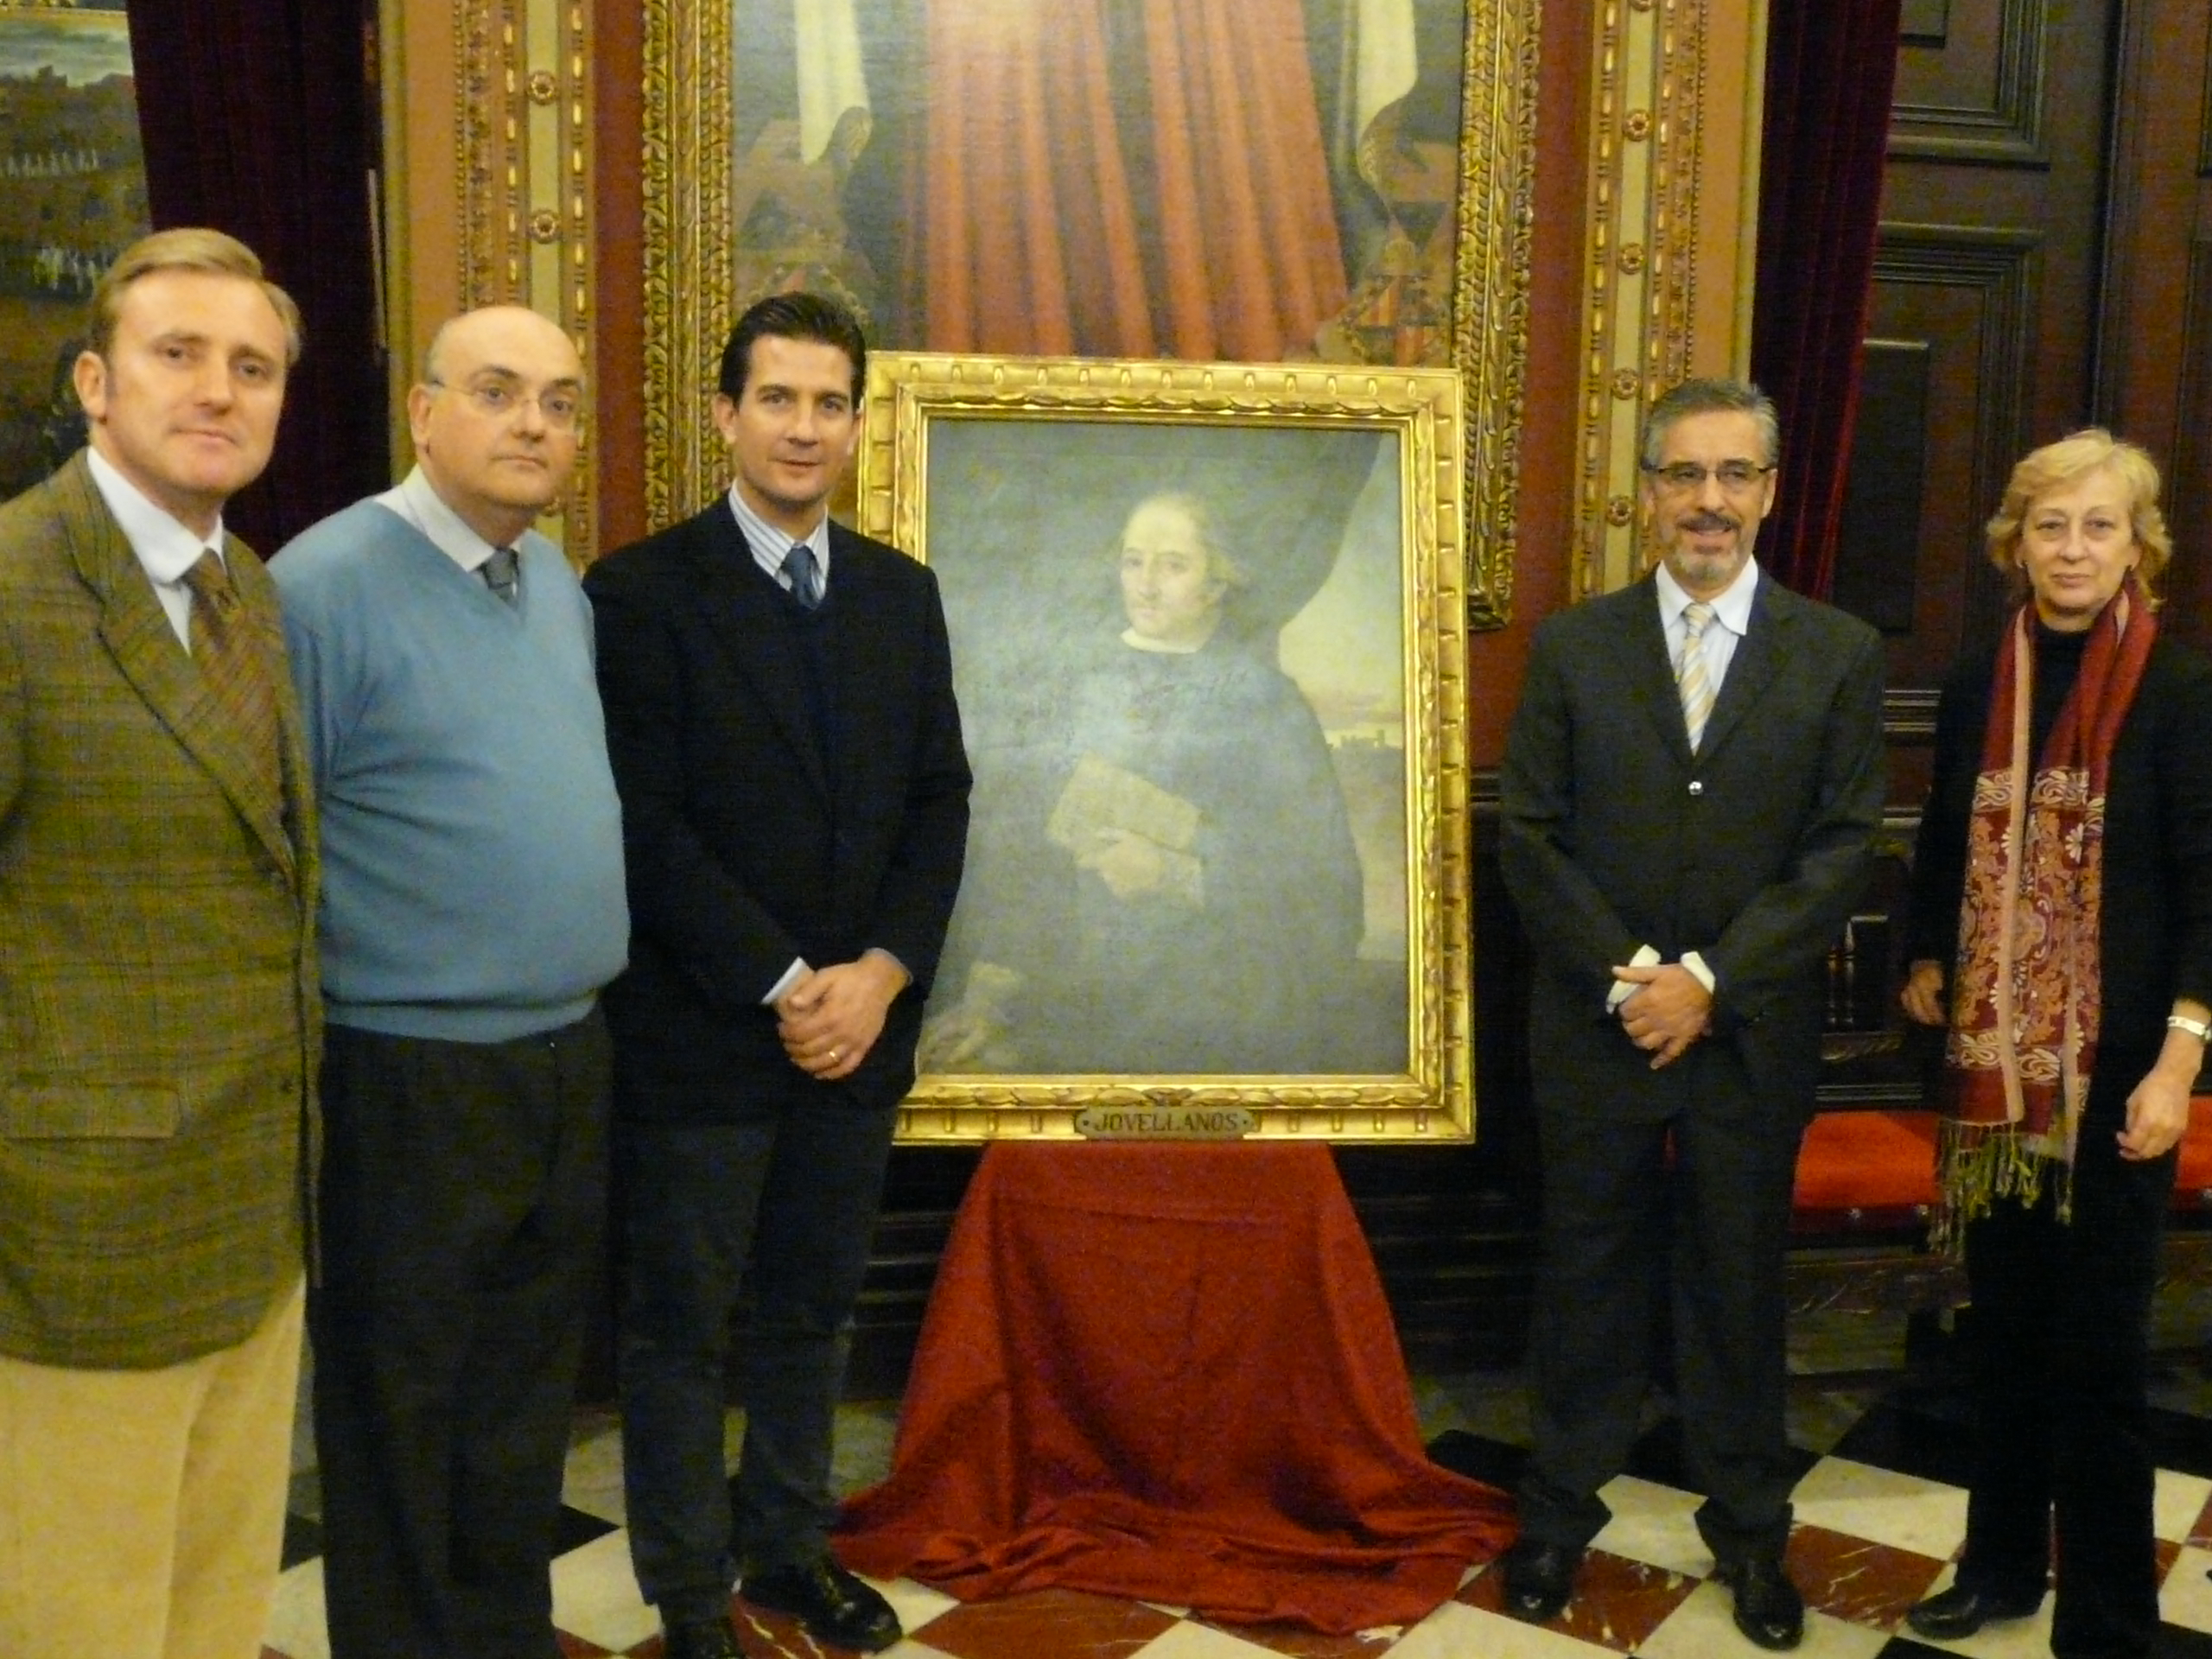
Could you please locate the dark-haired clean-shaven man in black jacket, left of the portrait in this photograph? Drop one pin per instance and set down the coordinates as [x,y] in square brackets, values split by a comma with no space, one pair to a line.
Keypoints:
[795,808]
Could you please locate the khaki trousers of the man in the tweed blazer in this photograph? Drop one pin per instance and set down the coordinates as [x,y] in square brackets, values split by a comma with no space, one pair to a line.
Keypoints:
[143,1512]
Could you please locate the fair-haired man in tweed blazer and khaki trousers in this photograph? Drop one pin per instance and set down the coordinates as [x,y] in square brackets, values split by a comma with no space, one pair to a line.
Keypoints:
[158,990]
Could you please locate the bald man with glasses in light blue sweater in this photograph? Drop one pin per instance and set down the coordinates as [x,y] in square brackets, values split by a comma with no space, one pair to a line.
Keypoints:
[472,910]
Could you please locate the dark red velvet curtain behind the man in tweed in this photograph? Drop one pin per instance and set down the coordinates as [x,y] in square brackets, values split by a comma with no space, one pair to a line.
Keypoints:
[255,118]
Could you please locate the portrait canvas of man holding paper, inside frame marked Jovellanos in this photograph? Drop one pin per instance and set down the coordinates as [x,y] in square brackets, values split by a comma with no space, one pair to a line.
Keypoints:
[1178,656]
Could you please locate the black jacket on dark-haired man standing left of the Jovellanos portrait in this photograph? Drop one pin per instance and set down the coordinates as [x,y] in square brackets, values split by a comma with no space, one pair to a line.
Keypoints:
[747,848]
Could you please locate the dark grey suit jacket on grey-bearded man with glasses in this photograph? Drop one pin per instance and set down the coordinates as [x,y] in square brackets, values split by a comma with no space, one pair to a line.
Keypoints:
[1751,853]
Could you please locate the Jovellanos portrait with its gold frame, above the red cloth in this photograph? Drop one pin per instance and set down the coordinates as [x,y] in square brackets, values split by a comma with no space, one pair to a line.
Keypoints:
[1297,959]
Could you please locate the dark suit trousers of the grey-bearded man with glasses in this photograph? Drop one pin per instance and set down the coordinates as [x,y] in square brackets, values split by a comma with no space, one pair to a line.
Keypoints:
[1695,1207]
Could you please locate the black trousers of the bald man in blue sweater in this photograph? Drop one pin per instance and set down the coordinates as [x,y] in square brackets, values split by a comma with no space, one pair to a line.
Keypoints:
[463,1218]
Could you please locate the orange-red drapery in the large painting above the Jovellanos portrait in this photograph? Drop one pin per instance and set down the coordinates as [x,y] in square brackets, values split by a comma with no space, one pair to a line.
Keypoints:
[1123,180]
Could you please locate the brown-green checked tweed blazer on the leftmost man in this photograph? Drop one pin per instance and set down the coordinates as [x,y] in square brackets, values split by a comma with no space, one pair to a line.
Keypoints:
[160,1023]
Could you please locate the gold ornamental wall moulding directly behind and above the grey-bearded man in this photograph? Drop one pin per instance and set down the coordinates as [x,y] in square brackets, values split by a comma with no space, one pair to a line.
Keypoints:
[1671,233]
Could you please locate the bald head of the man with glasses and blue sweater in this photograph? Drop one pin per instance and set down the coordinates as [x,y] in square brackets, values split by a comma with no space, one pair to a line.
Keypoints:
[497,417]
